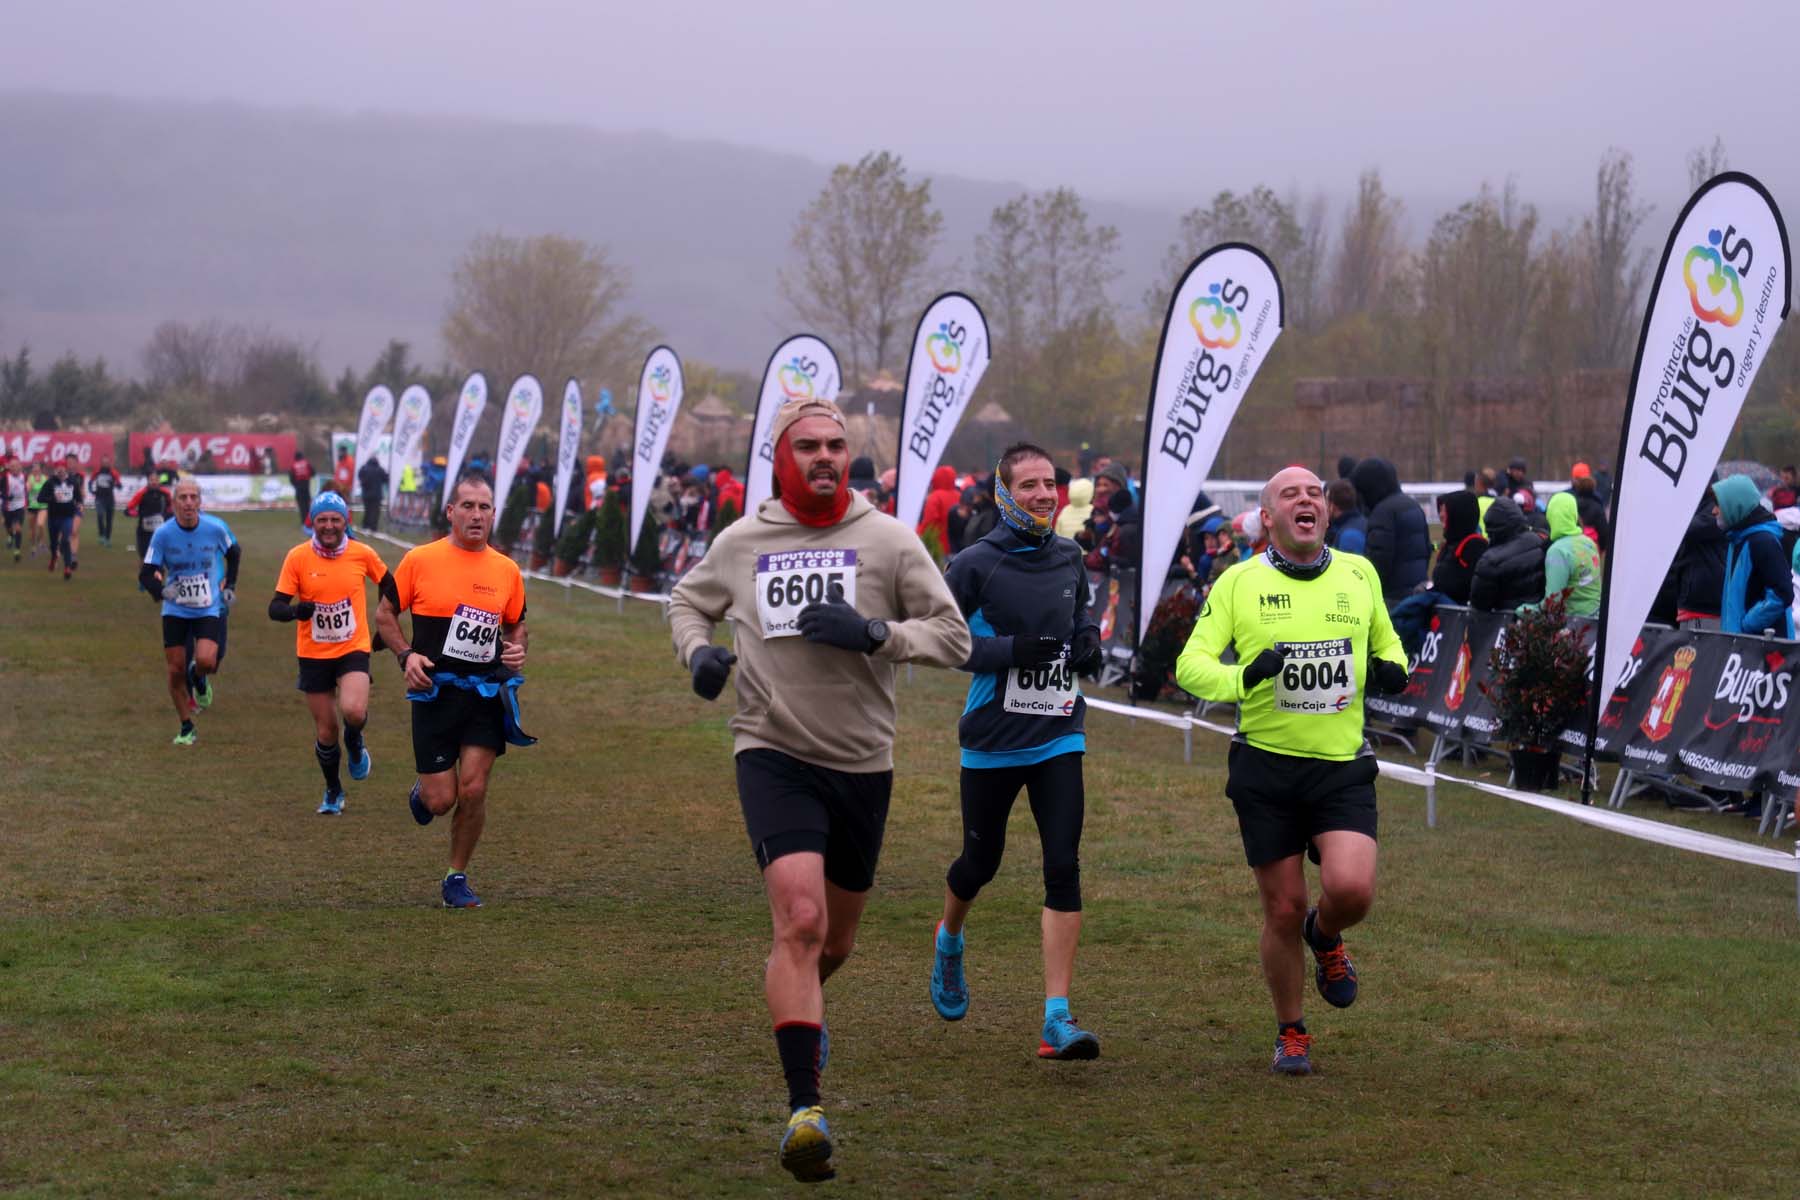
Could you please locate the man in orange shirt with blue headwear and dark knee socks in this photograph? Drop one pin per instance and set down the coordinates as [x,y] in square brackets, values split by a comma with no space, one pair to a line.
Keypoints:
[321,589]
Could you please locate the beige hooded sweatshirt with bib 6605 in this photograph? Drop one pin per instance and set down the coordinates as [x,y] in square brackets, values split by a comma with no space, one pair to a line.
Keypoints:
[822,704]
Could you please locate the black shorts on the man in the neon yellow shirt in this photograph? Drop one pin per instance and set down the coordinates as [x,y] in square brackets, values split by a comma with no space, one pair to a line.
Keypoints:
[1282,801]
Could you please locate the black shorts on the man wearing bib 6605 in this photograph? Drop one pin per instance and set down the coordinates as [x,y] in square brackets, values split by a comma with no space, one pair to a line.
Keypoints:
[793,807]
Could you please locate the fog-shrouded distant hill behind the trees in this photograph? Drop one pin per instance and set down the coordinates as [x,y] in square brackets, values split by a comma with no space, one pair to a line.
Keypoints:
[343,229]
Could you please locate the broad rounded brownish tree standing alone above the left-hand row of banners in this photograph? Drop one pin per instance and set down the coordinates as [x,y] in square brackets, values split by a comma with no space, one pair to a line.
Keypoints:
[546,305]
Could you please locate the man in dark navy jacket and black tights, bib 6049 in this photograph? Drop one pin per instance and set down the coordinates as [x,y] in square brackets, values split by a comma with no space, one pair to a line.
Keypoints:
[1025,595]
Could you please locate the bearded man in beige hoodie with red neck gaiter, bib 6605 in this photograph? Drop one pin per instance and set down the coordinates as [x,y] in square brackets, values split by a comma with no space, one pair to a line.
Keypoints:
[825,596]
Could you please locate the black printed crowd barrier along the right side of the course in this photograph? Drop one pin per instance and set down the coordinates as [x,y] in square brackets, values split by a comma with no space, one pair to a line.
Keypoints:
[1698,704]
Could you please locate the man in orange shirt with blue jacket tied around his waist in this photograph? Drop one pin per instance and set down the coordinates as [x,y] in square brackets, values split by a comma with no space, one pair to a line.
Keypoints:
[462,665]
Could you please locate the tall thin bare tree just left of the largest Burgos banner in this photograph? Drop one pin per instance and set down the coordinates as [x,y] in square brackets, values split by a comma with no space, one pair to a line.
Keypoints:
[1612,274]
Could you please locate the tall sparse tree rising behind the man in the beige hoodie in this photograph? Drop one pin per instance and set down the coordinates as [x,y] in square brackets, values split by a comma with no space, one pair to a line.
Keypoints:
[861,251]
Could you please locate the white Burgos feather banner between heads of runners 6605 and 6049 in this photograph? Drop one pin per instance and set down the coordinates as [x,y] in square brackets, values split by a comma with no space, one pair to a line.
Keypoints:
[949,357]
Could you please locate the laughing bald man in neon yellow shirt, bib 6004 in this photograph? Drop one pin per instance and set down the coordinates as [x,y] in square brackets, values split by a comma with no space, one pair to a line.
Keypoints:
[1311,632]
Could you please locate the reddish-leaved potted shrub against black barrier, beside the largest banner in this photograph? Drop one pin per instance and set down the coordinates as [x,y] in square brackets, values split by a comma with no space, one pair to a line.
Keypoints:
[1540,686]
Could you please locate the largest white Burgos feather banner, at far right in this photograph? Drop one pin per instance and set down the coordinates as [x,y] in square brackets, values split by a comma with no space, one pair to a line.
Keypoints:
[1720,296]
